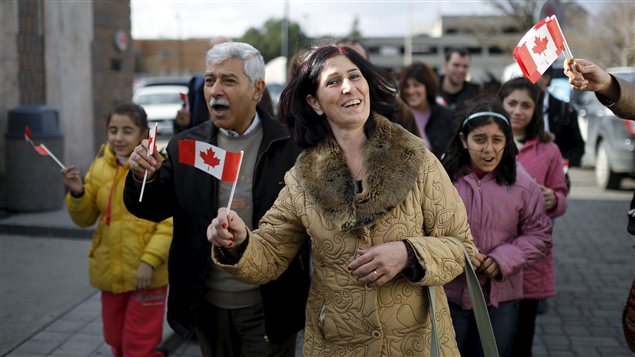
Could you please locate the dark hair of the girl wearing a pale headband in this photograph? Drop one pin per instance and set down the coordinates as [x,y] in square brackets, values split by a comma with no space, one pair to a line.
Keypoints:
[456,160]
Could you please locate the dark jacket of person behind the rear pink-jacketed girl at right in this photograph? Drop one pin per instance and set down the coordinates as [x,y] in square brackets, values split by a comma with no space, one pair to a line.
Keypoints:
[563,123]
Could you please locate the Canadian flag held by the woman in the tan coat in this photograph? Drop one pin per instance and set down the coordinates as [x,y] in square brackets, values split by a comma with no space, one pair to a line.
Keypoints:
[222,164]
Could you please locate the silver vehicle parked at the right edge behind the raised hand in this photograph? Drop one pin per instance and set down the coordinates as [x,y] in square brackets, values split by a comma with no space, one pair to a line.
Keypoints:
[610,141]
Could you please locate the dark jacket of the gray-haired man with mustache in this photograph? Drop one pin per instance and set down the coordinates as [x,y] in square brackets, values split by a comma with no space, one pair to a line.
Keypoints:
[190,196]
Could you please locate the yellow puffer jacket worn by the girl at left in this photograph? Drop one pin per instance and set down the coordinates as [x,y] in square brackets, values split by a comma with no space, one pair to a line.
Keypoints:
[121,241]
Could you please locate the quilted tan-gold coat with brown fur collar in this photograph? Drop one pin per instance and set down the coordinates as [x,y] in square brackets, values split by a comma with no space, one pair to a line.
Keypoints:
[406,195]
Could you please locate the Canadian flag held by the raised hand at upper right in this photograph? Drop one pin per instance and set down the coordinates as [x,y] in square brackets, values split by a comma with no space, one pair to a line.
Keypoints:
[539,48]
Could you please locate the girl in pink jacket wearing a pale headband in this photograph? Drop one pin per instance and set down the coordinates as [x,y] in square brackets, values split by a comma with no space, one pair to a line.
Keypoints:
[507,218]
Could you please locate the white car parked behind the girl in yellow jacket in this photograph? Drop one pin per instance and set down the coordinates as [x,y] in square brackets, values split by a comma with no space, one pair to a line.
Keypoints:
[161,102]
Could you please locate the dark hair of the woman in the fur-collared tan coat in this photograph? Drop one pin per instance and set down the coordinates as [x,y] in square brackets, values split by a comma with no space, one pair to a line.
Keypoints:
[307,127]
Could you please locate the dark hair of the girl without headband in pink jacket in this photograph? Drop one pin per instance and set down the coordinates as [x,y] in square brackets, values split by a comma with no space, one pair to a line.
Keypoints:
[535,128]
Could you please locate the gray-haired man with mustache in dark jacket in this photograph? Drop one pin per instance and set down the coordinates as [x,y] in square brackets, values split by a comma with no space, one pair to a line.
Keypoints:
[230,318]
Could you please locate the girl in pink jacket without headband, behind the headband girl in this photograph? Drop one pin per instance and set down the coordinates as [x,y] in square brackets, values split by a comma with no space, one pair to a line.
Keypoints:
[540,156]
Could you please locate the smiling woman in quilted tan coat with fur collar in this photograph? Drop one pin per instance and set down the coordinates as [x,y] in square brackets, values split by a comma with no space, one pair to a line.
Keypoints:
[381,215]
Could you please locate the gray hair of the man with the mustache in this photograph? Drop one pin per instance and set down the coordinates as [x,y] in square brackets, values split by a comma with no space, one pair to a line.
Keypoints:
[254,63]
